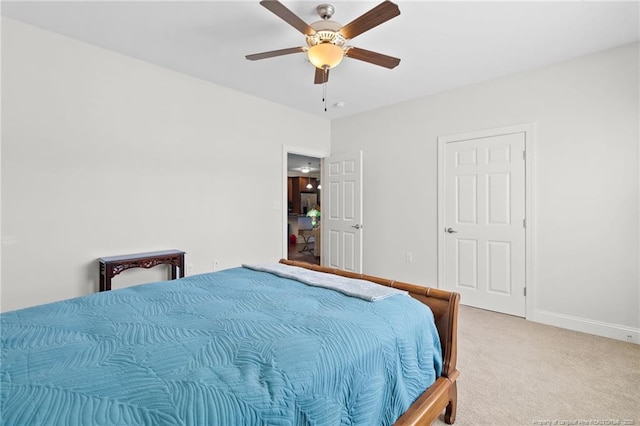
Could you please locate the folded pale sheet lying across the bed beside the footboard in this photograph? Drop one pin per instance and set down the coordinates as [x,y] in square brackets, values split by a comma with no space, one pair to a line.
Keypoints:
[362,289]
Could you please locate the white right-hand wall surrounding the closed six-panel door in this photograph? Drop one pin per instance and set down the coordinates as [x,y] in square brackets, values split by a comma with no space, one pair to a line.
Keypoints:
[587,179]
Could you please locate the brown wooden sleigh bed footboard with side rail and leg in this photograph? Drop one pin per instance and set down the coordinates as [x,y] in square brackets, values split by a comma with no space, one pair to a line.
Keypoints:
[443,394]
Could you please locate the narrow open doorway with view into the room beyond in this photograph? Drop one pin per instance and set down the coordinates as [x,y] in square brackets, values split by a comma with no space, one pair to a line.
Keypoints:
[304,208]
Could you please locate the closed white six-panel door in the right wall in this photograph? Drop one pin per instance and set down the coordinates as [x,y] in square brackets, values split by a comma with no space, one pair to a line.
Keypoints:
[484,221]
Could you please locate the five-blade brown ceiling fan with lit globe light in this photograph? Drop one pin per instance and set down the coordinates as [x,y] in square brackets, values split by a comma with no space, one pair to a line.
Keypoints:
[326,39]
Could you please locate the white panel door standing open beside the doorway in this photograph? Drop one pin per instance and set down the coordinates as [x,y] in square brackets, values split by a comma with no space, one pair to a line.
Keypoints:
[342,212]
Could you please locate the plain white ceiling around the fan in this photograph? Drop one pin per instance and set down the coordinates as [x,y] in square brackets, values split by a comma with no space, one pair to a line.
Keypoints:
[442,45]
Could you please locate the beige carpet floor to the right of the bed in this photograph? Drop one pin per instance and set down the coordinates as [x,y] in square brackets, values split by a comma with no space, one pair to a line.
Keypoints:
[516,372]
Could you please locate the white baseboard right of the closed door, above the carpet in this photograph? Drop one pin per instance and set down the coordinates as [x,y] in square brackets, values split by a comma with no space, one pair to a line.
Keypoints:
[612,331]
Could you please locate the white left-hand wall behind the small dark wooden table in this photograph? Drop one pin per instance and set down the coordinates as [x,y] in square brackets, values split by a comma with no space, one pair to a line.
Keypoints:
[103,155]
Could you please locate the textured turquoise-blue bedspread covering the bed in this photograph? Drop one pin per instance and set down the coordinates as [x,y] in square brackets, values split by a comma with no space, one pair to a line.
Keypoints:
[236,347]
